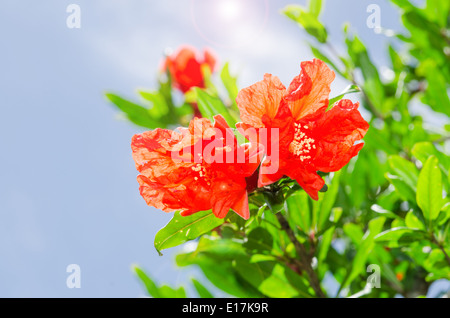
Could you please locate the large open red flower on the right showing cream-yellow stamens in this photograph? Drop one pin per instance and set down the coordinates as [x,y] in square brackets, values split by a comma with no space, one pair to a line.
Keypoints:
[311,139]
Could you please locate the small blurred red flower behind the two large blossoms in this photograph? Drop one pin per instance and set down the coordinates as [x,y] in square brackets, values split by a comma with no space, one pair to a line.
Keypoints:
[185,67]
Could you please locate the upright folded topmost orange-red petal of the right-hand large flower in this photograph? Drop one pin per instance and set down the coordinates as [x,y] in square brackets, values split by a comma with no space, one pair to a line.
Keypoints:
[309,91]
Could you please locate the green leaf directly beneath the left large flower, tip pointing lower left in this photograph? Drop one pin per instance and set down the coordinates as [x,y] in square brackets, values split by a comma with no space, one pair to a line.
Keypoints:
[181,229]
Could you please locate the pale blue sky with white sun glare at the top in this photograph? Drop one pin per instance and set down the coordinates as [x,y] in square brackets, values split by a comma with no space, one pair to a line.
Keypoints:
[68,190]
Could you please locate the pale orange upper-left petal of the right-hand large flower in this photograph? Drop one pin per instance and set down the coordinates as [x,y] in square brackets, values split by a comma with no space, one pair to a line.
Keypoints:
[262,98]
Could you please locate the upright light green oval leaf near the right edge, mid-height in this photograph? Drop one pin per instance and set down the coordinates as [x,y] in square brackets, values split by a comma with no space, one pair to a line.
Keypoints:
[429,189]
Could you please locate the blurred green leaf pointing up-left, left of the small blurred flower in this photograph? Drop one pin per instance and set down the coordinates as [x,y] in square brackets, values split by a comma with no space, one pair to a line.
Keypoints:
[134,112]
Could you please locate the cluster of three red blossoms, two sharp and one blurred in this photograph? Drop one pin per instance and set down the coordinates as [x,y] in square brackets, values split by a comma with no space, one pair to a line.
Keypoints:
[203,167]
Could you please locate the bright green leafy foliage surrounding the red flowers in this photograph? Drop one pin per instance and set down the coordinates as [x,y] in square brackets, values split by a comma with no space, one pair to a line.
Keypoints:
[389,207]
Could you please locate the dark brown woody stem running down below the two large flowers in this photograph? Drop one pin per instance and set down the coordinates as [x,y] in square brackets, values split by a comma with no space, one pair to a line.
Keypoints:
[305,259]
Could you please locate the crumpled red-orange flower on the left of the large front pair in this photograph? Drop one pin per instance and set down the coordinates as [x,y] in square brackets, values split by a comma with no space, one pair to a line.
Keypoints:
[192,170]
